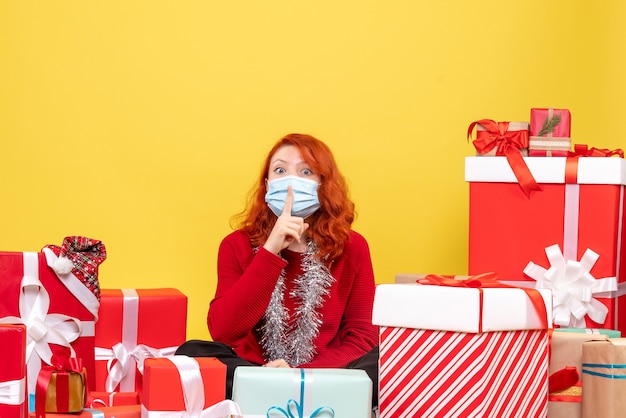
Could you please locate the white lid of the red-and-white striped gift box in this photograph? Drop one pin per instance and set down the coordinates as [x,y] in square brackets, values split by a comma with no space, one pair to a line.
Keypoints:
[457,308]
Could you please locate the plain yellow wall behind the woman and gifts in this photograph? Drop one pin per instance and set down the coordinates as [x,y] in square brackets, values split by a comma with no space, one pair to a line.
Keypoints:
[144,123]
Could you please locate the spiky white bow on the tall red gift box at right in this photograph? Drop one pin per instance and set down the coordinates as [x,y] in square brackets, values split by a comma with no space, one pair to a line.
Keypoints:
[573,287]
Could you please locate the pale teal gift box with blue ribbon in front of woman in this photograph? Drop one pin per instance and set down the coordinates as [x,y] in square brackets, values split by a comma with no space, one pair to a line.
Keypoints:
[302,392]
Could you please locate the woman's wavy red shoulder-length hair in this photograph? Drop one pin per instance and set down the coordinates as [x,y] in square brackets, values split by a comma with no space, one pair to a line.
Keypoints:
[330,225]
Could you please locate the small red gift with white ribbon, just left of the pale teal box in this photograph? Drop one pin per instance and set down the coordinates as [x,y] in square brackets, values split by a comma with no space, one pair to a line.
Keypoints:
[181,383]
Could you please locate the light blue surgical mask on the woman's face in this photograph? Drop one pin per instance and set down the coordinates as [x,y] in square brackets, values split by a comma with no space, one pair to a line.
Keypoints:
[305,200]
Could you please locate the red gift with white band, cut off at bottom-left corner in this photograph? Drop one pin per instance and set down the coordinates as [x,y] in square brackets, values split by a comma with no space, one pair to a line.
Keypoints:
[13,400]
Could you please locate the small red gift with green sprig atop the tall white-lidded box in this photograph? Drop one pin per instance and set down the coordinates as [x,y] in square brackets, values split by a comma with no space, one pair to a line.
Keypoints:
[549,132]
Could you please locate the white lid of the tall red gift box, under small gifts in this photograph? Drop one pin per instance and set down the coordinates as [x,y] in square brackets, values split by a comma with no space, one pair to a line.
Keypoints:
[591,170]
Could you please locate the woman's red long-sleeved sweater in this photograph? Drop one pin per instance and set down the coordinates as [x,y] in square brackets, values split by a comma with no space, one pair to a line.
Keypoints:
[247,279]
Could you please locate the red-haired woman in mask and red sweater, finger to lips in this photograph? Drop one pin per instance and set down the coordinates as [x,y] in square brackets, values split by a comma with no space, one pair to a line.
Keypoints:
[295,283]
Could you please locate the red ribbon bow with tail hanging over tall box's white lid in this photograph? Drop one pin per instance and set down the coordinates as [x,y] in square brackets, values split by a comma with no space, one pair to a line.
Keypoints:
[507,143]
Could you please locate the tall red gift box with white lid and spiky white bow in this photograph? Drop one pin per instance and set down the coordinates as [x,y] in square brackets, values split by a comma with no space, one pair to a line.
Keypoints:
[568,237]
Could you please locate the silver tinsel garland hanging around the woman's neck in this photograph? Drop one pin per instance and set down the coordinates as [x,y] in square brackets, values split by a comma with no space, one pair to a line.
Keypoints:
[295,344]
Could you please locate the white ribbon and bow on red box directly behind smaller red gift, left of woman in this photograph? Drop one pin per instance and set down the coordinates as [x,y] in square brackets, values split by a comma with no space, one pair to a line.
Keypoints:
[126,356]
